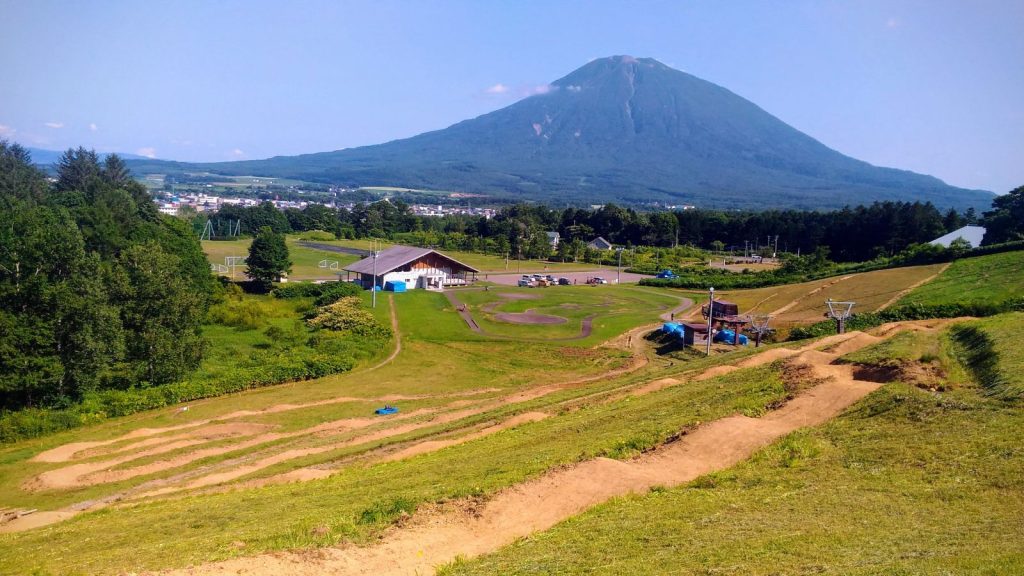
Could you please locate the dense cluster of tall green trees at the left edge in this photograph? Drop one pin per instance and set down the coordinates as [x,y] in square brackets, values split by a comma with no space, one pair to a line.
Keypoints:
[98,290]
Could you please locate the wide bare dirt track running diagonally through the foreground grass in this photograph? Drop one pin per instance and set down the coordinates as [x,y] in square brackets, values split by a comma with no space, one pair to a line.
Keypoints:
[435,540]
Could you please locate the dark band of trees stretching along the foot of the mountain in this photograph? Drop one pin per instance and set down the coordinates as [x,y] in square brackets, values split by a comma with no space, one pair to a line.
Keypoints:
[854,234]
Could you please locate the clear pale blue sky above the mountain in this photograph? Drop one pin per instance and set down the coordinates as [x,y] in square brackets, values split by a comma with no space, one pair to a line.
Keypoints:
[932,87]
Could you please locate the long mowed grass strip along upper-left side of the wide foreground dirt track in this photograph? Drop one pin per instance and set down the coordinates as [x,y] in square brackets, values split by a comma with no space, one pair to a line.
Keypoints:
[179,532]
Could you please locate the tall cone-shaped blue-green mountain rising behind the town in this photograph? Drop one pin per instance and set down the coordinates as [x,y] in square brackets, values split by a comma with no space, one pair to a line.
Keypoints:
[623,130]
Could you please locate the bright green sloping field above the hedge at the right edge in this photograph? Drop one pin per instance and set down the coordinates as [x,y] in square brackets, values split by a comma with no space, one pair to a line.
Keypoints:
[994,278]
